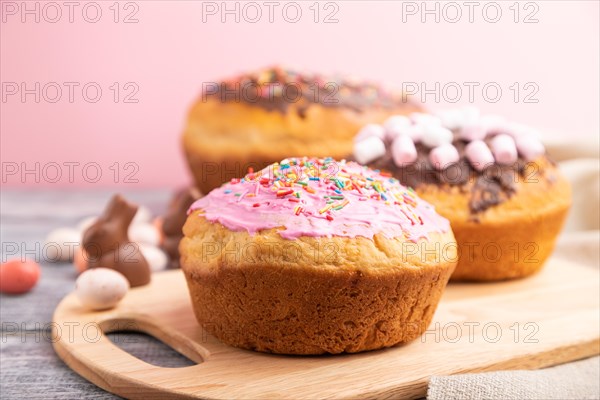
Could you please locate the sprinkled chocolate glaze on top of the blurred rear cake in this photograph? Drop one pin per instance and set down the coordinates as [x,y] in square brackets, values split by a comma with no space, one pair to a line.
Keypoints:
[278,89]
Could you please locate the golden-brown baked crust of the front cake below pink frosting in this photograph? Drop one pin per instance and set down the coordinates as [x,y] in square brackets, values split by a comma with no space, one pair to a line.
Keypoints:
[362,290]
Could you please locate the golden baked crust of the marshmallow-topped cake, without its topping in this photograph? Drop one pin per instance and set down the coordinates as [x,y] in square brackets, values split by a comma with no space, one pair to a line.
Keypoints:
[514,238]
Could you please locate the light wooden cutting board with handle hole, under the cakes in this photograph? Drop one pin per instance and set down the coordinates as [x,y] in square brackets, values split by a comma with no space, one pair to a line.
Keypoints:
[548,319]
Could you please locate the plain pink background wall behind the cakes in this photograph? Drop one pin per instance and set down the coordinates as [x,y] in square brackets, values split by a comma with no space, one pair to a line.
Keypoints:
[170,51]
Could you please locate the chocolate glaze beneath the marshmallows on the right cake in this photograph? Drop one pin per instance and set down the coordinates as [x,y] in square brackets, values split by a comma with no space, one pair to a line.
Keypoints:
[490,187]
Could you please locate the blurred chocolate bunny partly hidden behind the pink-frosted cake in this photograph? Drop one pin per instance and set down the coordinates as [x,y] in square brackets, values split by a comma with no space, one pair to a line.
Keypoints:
[174,220]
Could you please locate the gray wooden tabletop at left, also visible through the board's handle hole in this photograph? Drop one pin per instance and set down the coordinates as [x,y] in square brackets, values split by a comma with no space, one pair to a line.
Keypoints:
[29,368]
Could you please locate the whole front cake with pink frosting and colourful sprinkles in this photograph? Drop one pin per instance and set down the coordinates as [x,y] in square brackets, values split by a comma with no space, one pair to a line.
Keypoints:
[312,256]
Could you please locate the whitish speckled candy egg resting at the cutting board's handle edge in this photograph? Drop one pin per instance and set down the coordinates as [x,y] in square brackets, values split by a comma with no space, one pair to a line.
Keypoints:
[101,288]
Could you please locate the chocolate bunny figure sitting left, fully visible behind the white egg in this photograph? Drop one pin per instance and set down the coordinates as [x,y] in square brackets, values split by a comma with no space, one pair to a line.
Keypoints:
[108,246]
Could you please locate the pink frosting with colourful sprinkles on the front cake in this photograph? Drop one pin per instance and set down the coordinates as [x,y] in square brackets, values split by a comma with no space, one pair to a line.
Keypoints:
[367,204]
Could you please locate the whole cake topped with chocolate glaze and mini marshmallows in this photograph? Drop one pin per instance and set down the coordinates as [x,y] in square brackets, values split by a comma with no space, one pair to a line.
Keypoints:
[505,199]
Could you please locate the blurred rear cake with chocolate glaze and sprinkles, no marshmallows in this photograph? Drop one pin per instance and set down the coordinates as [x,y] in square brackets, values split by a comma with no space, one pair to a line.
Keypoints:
[255,119]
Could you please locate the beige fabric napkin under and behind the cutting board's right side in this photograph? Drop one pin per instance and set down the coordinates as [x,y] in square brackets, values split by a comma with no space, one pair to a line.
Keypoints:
[580,242]
